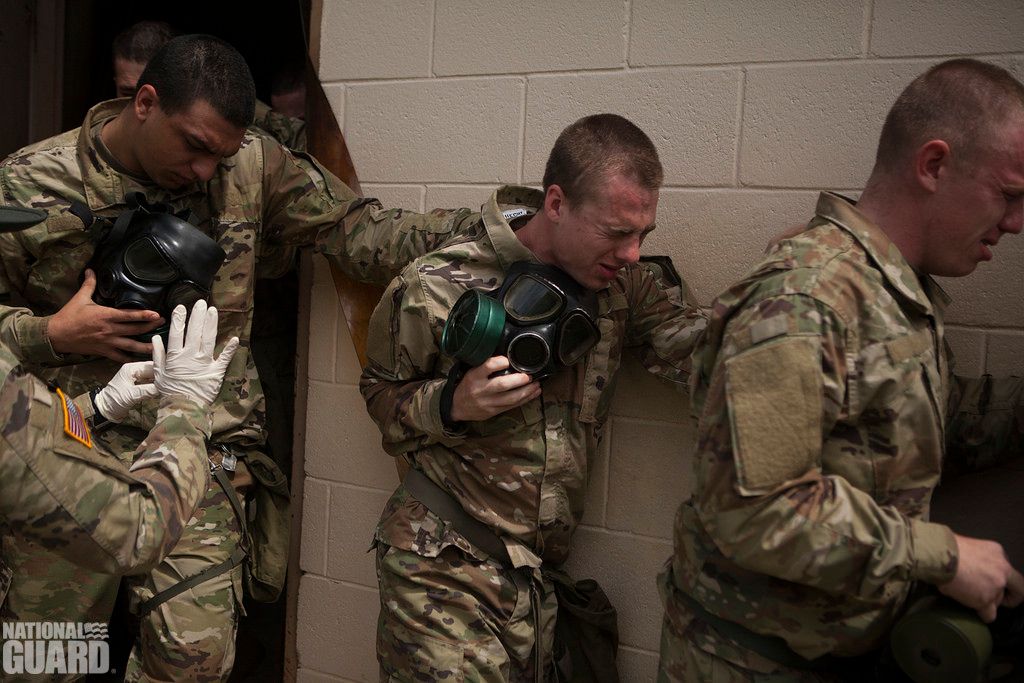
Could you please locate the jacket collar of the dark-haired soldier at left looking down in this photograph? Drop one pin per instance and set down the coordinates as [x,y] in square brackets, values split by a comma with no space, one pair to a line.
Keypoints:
[105,187]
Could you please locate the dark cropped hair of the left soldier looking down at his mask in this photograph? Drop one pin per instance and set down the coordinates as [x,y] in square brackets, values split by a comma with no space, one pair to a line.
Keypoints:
[199,67]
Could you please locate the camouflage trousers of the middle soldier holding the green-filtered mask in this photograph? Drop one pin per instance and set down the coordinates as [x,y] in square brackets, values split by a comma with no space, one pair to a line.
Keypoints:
[454,618]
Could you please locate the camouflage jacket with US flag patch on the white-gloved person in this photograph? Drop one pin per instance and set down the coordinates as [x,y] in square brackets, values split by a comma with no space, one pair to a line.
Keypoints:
[59,490]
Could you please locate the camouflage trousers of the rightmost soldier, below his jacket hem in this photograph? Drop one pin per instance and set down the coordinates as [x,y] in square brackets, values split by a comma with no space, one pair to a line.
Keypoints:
[693,653]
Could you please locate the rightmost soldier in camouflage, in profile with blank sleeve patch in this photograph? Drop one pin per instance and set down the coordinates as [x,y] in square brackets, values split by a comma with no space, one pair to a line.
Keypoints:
[826,399]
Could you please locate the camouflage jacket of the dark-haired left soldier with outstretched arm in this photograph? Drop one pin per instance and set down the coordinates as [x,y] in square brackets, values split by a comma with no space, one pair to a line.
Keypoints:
[264,197]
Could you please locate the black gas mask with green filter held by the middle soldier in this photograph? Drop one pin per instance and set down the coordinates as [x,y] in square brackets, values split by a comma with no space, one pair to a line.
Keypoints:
[540,319]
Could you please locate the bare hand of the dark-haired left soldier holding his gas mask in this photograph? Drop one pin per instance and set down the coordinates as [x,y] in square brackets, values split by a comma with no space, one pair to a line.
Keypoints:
[87,328]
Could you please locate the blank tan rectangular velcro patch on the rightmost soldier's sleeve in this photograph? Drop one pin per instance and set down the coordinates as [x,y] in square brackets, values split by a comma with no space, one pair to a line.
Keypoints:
[776,402]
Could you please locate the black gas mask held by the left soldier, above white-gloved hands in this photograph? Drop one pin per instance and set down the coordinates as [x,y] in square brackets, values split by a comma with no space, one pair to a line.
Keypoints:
[151,259]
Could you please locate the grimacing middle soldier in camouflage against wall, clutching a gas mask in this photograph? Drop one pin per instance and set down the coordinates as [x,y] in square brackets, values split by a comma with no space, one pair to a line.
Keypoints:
[515,454]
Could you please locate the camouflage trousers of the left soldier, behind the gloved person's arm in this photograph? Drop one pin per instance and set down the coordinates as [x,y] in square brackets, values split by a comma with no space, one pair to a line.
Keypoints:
[190,637]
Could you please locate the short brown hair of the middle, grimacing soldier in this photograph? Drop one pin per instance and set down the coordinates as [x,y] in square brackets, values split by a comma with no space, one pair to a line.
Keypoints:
[596,148]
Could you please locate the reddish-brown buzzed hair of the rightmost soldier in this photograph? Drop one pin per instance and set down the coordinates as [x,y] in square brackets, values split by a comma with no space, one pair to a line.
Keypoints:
[961,102]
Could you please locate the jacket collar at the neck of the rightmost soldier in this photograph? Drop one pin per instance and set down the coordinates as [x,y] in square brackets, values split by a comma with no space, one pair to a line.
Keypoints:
[843,212]
